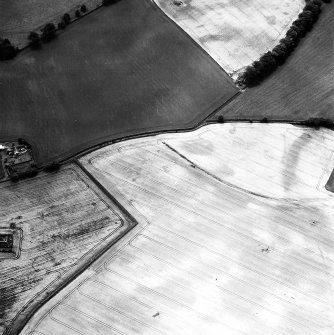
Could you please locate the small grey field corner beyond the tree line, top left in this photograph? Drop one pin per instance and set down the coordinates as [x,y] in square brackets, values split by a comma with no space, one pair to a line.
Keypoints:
[19,17]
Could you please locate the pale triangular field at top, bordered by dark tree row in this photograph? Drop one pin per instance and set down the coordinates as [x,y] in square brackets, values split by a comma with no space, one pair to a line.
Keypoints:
[234,32]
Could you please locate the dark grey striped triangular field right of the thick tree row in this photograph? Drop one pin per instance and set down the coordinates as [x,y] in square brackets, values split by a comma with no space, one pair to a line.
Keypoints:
[302,88]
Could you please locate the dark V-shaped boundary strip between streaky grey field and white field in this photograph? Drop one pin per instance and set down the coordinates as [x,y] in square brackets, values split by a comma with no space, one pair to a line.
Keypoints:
[21,320]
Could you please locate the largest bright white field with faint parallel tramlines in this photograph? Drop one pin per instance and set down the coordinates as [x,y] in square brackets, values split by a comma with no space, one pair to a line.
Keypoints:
[219,248]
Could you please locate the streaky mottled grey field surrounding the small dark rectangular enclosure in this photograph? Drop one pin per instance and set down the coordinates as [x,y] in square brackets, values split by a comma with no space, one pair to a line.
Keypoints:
[65,221]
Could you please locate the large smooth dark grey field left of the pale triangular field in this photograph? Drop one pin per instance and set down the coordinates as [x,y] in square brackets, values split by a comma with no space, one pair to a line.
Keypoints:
[122,70]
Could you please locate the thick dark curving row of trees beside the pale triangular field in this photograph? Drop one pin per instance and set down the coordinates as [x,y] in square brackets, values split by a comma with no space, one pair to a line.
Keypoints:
[267,64]
